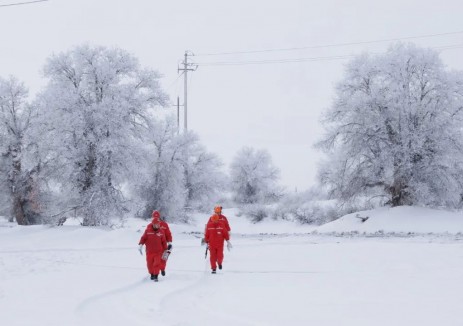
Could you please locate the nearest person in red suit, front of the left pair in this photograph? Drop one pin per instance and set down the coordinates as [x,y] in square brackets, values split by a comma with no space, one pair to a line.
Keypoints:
[155,241]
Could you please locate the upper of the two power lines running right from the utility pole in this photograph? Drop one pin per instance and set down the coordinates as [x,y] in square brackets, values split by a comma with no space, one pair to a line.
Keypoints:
[330,45]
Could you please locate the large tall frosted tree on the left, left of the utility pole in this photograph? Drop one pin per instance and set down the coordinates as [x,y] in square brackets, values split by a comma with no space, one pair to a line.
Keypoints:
[97,108]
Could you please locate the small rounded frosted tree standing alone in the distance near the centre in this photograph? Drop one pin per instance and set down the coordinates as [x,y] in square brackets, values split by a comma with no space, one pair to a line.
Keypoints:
[254,178]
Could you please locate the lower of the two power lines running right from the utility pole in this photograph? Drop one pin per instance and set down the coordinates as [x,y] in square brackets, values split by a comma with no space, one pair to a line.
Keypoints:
[295,60]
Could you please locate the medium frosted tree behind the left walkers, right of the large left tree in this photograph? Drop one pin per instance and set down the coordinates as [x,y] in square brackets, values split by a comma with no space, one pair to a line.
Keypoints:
[180,174]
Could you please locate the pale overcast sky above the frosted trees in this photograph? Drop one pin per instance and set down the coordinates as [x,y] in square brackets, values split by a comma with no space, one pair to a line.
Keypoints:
[272,106]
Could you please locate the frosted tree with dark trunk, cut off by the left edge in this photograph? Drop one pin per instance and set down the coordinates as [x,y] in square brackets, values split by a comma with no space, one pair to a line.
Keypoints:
[19,168]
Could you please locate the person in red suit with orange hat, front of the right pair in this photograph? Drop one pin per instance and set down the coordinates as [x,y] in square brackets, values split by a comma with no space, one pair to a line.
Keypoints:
[216,235]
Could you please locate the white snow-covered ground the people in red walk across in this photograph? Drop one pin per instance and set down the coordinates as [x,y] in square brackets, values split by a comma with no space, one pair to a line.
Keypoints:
[278,273]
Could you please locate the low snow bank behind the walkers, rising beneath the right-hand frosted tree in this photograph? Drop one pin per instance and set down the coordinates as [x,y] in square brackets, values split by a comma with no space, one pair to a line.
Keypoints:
[405,219]
